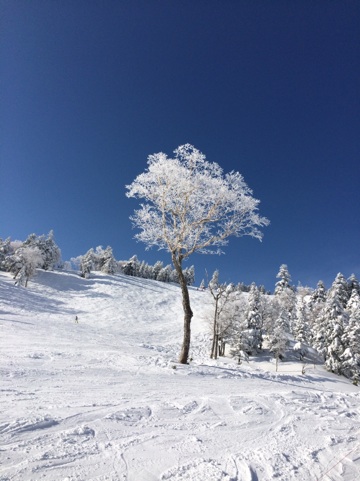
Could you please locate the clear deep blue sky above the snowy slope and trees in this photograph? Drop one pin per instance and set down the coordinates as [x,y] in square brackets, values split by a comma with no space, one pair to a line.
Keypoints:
[270,89]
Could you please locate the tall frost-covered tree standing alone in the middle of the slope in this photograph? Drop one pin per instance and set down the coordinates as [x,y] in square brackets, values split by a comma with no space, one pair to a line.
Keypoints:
[191,206]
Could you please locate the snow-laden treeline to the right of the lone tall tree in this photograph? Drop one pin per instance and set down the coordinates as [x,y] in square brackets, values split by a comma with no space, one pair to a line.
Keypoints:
[326,320]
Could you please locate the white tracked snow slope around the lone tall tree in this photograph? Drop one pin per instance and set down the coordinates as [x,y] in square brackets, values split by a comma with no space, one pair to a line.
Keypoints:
[105,399]
